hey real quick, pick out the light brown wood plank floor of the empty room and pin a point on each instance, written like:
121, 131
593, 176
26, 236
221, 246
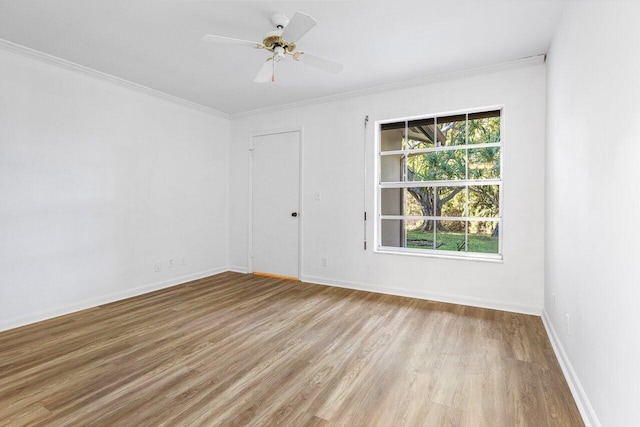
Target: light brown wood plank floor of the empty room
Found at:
238, 349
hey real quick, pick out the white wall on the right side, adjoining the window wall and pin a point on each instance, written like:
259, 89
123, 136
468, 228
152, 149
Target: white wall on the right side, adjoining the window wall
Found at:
592, 207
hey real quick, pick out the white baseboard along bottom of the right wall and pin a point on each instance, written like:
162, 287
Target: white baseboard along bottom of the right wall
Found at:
582, 401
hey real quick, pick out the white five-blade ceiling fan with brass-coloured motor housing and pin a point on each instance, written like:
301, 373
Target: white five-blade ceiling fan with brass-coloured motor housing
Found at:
282, 42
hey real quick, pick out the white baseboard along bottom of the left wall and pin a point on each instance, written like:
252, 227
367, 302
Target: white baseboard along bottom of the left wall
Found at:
105, 299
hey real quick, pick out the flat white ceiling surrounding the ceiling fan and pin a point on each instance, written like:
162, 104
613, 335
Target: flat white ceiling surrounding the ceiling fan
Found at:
158, 43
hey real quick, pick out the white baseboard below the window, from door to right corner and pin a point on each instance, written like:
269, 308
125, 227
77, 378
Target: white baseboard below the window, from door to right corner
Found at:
434, 296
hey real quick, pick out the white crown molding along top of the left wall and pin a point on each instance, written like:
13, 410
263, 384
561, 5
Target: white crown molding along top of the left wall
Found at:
72, 66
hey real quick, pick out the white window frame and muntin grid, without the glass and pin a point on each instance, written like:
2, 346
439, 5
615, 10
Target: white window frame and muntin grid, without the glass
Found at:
436, 253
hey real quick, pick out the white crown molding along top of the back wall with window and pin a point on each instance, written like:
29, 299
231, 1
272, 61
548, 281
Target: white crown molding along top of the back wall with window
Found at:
422, 81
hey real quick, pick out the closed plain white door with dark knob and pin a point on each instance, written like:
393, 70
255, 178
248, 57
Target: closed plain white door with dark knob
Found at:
275, 195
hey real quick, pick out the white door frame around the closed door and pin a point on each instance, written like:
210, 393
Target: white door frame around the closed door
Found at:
252, 136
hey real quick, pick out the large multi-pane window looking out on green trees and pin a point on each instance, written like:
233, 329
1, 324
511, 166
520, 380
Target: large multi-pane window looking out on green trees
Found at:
439, 185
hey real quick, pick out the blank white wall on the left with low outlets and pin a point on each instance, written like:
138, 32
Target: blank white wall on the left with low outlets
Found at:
98, 182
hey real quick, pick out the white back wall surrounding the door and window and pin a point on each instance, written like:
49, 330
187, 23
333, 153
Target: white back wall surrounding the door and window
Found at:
333, 165
